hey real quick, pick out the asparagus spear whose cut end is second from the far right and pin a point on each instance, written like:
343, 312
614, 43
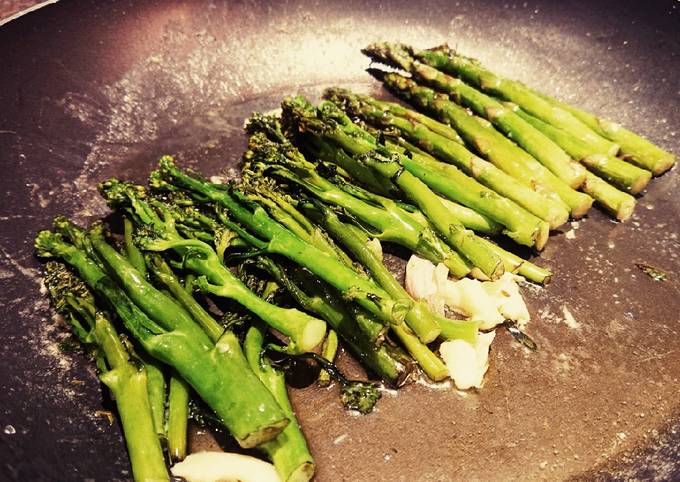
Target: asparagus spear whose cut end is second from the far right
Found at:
626, 176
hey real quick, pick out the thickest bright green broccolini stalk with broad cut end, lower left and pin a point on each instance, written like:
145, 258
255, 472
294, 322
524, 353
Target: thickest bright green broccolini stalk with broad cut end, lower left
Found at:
218, 372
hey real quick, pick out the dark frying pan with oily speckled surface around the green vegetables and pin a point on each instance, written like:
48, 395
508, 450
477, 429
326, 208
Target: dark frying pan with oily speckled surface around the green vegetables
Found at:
93, 89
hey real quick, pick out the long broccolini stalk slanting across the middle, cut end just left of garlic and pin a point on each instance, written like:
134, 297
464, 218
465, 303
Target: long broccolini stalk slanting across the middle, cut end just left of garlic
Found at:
279, 240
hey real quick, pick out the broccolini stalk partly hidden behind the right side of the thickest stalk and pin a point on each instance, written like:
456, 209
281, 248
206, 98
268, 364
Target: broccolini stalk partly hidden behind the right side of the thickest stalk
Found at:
288, 451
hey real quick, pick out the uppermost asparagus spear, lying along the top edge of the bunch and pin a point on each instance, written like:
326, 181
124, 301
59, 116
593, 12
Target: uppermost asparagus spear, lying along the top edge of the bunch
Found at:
447, 60
